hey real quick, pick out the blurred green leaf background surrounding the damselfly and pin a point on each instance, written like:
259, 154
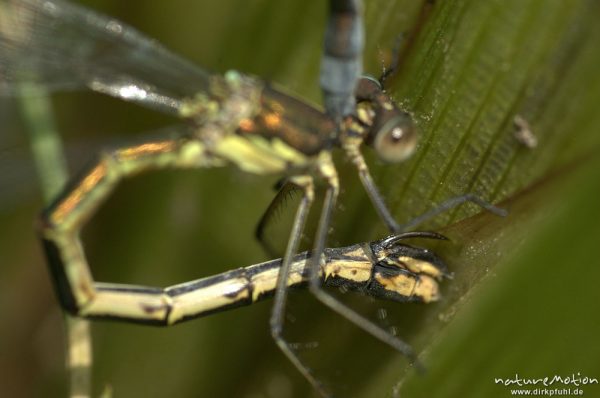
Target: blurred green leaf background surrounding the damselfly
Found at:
524, 296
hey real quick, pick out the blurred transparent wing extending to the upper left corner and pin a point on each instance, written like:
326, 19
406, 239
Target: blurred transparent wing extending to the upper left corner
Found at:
63, 46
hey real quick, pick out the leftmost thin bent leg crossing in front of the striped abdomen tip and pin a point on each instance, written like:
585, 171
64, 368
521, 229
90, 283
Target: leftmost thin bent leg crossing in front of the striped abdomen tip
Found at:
277, 316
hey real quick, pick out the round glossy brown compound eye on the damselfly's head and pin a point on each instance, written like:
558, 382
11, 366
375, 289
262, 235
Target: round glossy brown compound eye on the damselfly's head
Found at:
396, 140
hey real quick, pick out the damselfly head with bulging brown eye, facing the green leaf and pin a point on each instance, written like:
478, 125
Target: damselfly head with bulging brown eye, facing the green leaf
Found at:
390, 131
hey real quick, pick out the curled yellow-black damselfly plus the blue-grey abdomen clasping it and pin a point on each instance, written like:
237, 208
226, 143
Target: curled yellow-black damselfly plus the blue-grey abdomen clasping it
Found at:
230, 119
